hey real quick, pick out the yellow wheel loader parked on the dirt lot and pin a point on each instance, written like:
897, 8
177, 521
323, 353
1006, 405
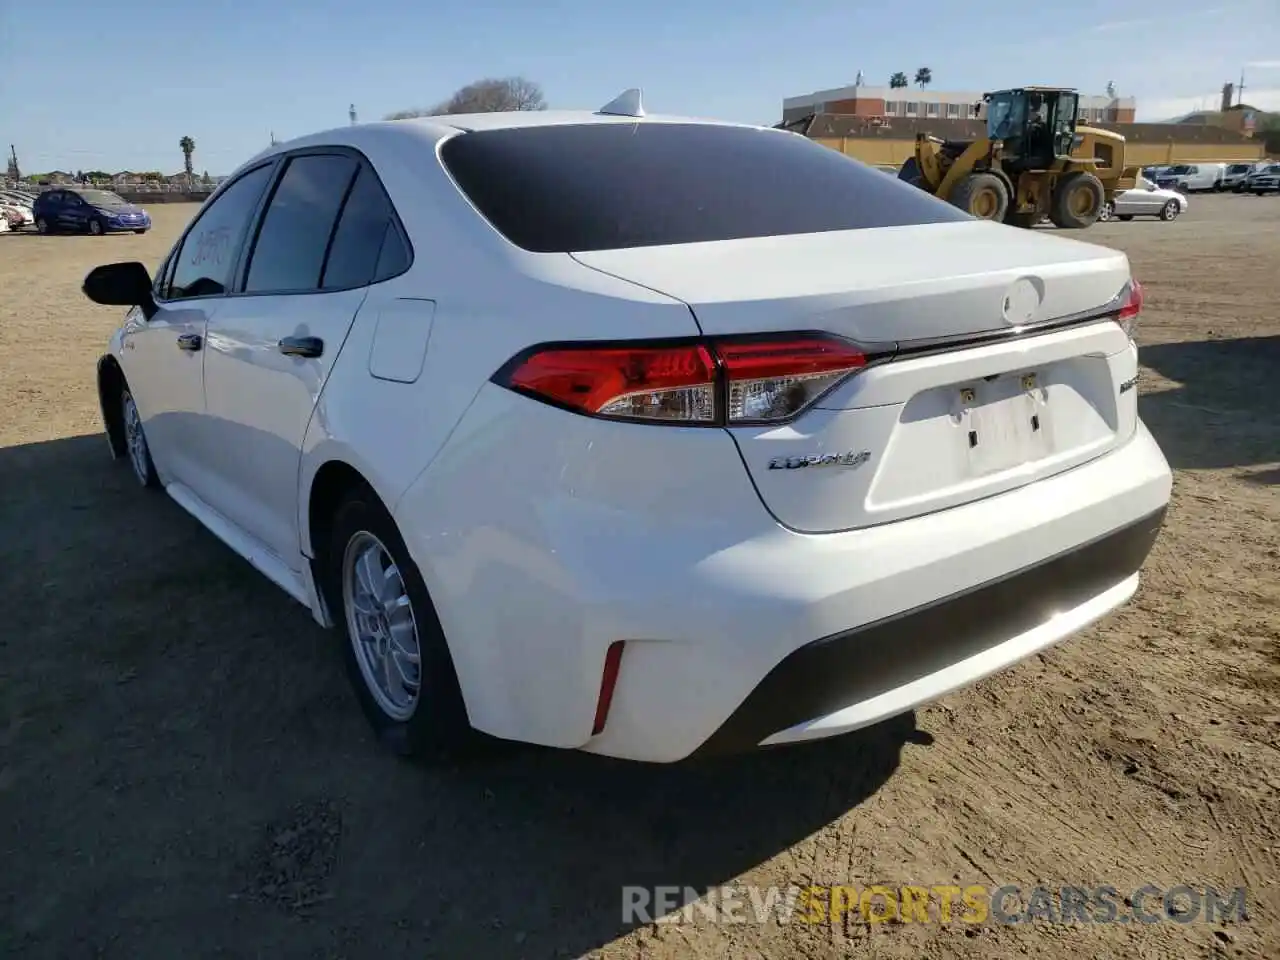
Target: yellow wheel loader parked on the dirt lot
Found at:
1034, 163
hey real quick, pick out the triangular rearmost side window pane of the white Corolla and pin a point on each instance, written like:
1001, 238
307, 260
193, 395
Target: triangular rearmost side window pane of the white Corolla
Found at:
365, 235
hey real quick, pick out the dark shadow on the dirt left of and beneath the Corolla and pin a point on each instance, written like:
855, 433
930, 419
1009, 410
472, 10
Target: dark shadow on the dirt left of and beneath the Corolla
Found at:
185, 774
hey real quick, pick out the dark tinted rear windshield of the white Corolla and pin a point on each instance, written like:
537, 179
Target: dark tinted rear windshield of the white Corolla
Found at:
609, 186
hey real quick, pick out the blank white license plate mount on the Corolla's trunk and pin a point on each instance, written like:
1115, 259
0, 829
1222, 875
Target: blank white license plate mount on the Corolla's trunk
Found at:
1004, 423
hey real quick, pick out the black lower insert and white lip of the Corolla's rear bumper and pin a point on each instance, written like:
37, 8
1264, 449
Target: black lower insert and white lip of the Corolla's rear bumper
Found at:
868, 674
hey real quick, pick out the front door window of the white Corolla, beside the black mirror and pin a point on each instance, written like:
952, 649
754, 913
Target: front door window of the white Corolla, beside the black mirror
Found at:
204, 266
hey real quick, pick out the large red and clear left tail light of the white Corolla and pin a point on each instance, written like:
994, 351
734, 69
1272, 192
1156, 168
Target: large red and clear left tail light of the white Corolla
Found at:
716, 382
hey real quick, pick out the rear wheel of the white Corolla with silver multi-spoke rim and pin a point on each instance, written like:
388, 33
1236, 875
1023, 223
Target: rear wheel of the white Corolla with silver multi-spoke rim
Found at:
395, 651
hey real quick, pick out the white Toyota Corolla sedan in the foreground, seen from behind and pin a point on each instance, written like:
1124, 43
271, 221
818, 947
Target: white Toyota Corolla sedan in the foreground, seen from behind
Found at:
642, 436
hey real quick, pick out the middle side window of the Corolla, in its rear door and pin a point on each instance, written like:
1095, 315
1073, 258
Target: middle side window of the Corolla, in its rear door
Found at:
299, 223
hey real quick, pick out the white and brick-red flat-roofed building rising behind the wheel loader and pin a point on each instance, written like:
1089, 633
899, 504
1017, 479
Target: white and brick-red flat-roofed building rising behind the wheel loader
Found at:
911, 103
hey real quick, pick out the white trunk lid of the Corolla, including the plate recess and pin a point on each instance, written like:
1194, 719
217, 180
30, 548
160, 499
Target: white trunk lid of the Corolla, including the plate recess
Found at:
932, 428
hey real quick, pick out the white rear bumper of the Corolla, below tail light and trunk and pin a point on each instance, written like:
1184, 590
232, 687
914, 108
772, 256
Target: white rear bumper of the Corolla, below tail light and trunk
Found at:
547, 538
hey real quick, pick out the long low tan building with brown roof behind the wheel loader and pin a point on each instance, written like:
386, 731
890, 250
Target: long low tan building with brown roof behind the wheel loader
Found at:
888, 141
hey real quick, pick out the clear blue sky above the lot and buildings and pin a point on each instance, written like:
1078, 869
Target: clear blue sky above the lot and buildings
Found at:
125, 88
